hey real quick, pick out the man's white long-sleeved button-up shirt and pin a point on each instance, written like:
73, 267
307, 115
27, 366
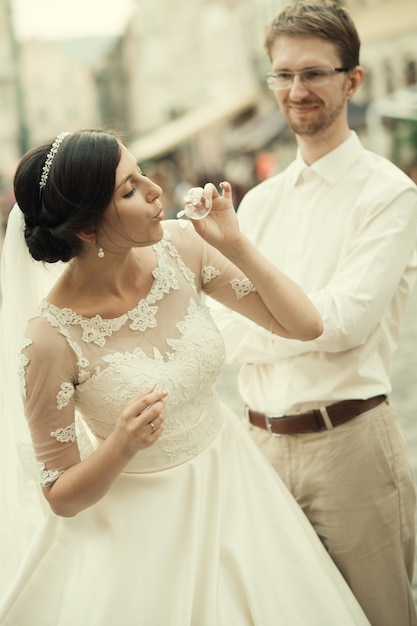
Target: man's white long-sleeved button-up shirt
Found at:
345, 229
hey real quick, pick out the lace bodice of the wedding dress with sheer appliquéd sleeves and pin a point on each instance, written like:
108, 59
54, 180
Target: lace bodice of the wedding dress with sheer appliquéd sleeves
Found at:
100, 364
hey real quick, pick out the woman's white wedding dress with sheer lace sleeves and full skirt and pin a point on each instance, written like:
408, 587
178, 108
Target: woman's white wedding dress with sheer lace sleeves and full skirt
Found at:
198, 530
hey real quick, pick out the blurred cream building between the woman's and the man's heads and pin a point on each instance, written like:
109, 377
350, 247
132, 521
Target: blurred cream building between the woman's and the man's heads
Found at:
180, 85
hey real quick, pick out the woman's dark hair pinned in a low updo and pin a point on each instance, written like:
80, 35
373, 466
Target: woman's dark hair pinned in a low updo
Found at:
78, 190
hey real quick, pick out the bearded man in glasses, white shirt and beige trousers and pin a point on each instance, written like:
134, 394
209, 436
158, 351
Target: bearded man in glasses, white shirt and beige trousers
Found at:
342, 222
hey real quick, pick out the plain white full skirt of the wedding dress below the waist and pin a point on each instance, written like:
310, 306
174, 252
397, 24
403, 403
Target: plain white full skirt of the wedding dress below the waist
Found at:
215, 541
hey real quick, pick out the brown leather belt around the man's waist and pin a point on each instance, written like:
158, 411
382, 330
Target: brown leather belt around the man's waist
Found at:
315, 420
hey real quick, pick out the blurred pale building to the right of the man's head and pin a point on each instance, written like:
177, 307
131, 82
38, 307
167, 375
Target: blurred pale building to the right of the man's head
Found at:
389, 56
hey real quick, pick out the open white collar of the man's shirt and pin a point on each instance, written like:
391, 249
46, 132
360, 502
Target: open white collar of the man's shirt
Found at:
332, 166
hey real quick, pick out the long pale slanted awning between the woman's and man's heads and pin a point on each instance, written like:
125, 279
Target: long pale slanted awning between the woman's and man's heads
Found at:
172, 134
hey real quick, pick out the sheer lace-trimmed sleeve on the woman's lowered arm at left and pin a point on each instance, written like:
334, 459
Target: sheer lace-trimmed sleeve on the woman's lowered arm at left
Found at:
48, 377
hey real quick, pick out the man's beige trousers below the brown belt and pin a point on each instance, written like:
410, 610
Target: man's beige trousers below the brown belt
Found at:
355, 485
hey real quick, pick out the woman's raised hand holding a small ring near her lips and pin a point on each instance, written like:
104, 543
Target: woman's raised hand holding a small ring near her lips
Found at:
220, 227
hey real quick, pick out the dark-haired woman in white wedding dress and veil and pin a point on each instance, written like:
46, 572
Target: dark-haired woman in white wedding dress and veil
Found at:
131, 495
